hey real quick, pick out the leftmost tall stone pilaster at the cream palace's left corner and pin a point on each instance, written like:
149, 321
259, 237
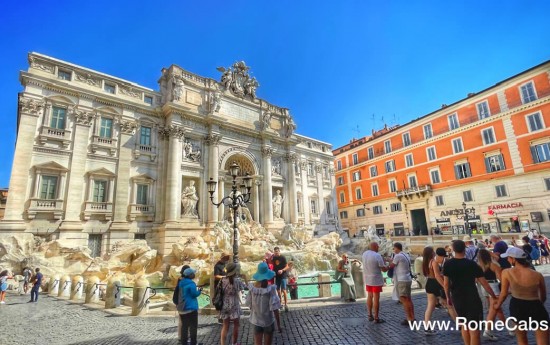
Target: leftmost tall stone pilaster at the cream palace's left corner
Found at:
29, 110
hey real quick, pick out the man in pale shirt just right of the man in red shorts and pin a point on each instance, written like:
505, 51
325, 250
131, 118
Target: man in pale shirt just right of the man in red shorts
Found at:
403, 281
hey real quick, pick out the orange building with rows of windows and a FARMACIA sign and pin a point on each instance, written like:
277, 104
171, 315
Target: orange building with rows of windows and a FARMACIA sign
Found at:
482, 162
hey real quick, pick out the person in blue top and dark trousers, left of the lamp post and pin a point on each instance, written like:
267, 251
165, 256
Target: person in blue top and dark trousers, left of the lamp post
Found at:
188, 306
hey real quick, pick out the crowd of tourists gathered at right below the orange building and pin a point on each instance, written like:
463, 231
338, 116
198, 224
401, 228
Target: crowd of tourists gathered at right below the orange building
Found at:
459, 276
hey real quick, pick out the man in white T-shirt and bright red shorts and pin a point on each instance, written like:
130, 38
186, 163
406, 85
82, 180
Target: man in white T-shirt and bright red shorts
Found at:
373, 265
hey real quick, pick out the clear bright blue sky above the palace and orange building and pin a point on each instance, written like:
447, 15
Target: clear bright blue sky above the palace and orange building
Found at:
333, 63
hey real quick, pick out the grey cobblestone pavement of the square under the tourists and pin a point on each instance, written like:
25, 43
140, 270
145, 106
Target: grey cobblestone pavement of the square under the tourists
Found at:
53, 322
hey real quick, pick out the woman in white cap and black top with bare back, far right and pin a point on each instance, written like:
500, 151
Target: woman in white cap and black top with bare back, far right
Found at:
528, 295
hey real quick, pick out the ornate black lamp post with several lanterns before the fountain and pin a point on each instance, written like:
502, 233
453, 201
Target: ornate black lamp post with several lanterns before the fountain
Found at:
235, 200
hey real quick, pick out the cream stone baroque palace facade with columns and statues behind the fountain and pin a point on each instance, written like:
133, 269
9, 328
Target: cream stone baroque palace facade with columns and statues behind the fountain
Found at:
99, 159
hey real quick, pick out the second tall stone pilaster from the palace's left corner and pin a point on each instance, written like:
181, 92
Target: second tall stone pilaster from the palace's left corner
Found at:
71, 227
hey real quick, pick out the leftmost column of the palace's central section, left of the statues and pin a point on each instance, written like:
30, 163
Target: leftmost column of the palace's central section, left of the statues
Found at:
172, 203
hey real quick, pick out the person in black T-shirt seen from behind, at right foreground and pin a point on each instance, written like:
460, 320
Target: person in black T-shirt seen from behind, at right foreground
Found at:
461, 291
